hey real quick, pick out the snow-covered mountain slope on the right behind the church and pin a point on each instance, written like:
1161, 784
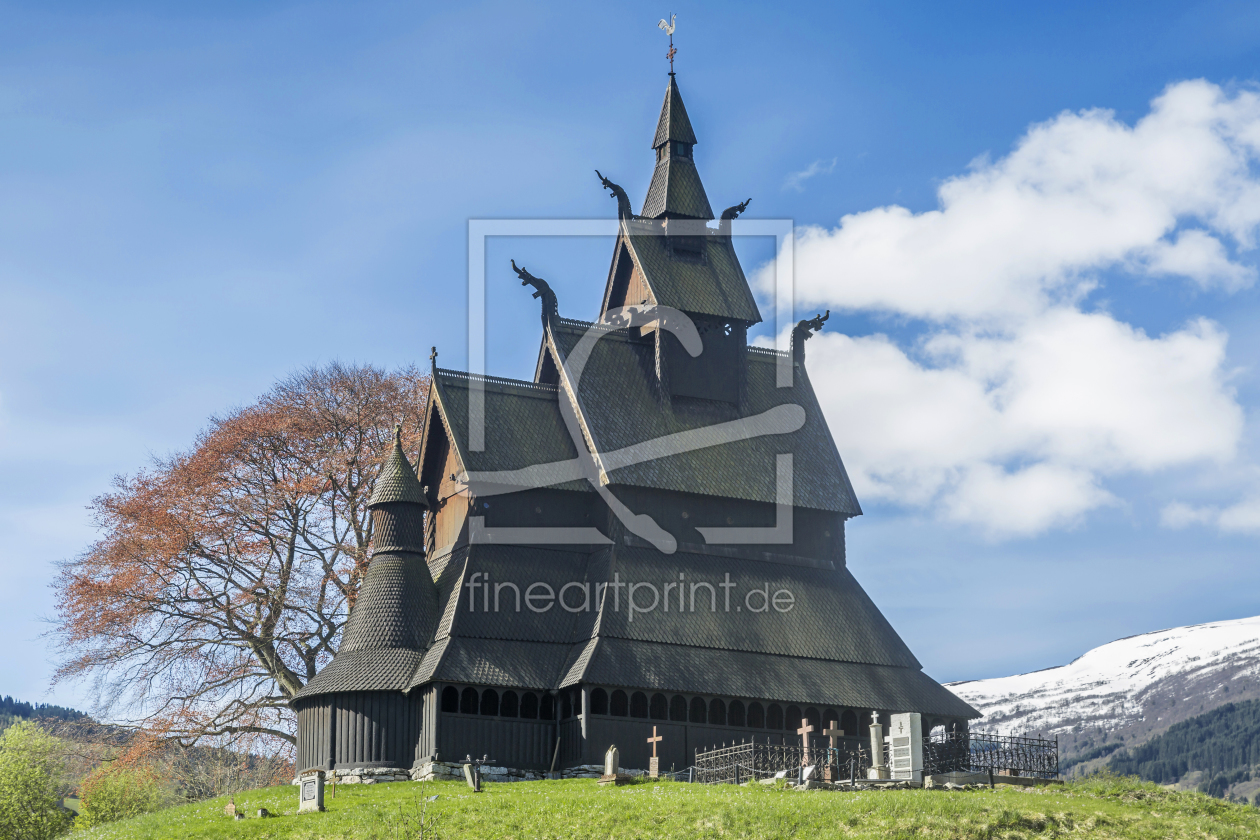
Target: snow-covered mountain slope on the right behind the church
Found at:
1127, 691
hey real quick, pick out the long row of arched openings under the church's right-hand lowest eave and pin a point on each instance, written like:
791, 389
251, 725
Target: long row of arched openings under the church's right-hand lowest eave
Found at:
718, 712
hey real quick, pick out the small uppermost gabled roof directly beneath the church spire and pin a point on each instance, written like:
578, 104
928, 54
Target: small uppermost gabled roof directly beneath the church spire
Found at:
713, 285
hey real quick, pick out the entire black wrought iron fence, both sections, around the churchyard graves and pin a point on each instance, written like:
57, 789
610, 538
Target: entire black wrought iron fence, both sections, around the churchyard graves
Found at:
947, 752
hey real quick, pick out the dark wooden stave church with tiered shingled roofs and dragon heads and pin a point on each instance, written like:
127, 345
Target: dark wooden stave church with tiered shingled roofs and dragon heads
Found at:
694, 575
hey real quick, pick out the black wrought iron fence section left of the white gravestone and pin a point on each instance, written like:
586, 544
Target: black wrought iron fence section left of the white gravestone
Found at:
754, 761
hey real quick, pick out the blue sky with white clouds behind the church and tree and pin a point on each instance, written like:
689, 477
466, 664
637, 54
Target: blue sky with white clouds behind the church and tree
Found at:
200, 200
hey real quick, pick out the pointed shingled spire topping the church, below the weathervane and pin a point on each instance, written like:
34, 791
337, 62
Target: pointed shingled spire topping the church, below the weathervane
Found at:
676, 186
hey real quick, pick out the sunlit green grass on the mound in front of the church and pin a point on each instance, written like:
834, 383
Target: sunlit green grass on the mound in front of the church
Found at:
1094, 808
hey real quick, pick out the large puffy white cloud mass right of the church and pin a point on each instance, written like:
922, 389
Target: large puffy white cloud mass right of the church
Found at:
1016, 404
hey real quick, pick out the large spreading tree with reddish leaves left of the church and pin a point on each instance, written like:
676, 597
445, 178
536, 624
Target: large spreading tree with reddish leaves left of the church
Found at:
224, 575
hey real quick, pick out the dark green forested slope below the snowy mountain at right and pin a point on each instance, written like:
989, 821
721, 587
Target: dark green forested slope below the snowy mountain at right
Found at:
1223, 745
